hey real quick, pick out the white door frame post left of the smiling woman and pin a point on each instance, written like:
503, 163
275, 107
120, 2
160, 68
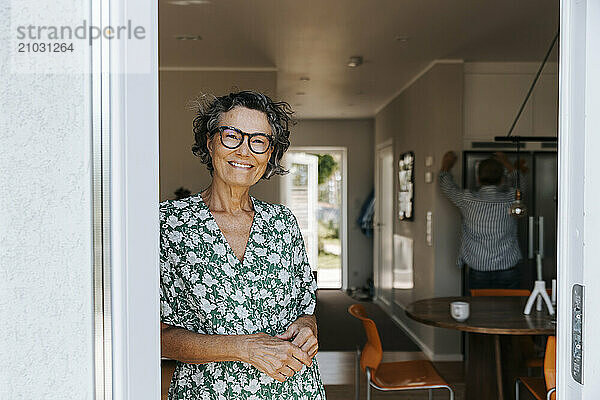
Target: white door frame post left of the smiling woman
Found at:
125, 131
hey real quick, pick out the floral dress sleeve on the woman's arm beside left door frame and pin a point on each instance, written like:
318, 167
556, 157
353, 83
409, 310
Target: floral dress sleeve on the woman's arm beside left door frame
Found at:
168, 281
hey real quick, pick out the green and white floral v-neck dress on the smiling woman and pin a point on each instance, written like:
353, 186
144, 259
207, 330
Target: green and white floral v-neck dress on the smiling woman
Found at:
206, 289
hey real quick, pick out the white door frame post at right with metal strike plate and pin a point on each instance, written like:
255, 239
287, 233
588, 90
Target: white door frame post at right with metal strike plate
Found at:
579, 191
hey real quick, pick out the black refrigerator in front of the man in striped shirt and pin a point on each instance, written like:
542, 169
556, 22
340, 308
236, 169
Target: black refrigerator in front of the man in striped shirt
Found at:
537, 230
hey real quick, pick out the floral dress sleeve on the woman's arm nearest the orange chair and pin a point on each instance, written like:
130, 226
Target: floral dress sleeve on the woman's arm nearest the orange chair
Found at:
305, 285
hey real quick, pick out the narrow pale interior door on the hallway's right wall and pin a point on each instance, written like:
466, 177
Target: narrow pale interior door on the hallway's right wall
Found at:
384, 224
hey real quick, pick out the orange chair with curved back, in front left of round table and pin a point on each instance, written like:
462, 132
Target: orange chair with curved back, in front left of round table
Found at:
403, 375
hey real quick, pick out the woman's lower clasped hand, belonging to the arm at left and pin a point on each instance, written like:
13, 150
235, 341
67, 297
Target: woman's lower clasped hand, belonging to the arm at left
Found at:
275, 357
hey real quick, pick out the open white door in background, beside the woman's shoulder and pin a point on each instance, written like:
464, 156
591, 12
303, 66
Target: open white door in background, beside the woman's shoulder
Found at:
299, 191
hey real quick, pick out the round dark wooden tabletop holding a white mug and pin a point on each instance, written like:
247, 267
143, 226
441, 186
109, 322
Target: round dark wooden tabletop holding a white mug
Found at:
491, 315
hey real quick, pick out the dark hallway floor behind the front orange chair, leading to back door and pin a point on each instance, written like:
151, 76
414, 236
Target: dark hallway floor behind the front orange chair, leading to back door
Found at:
339, 331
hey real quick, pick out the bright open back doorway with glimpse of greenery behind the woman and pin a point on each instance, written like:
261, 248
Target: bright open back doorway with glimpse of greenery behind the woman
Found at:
315, 191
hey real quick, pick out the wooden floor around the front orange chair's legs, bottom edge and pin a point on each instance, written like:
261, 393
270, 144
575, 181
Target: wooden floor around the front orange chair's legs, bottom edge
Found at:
337, 372
